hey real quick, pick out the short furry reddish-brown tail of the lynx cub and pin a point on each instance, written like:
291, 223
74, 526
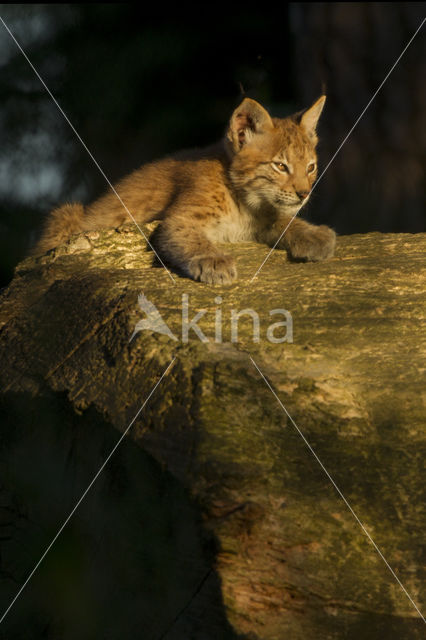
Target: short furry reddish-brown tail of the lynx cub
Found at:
59, 226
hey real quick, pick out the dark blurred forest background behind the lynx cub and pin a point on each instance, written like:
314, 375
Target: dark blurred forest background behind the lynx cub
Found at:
137, 86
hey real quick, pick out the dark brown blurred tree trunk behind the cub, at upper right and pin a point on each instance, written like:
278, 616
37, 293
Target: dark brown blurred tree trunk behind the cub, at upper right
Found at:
347, 49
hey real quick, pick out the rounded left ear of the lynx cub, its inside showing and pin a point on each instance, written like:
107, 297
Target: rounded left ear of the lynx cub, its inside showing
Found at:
247, 120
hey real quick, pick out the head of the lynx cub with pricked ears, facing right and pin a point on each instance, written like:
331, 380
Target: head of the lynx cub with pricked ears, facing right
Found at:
273, 160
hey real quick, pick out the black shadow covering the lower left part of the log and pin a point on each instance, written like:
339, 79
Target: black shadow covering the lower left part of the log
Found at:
133, 562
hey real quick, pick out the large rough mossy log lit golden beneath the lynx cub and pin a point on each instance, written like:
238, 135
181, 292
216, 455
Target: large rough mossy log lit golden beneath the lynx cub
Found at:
213, 519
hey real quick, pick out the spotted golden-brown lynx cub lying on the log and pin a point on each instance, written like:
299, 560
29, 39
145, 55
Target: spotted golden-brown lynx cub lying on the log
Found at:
246, 187
